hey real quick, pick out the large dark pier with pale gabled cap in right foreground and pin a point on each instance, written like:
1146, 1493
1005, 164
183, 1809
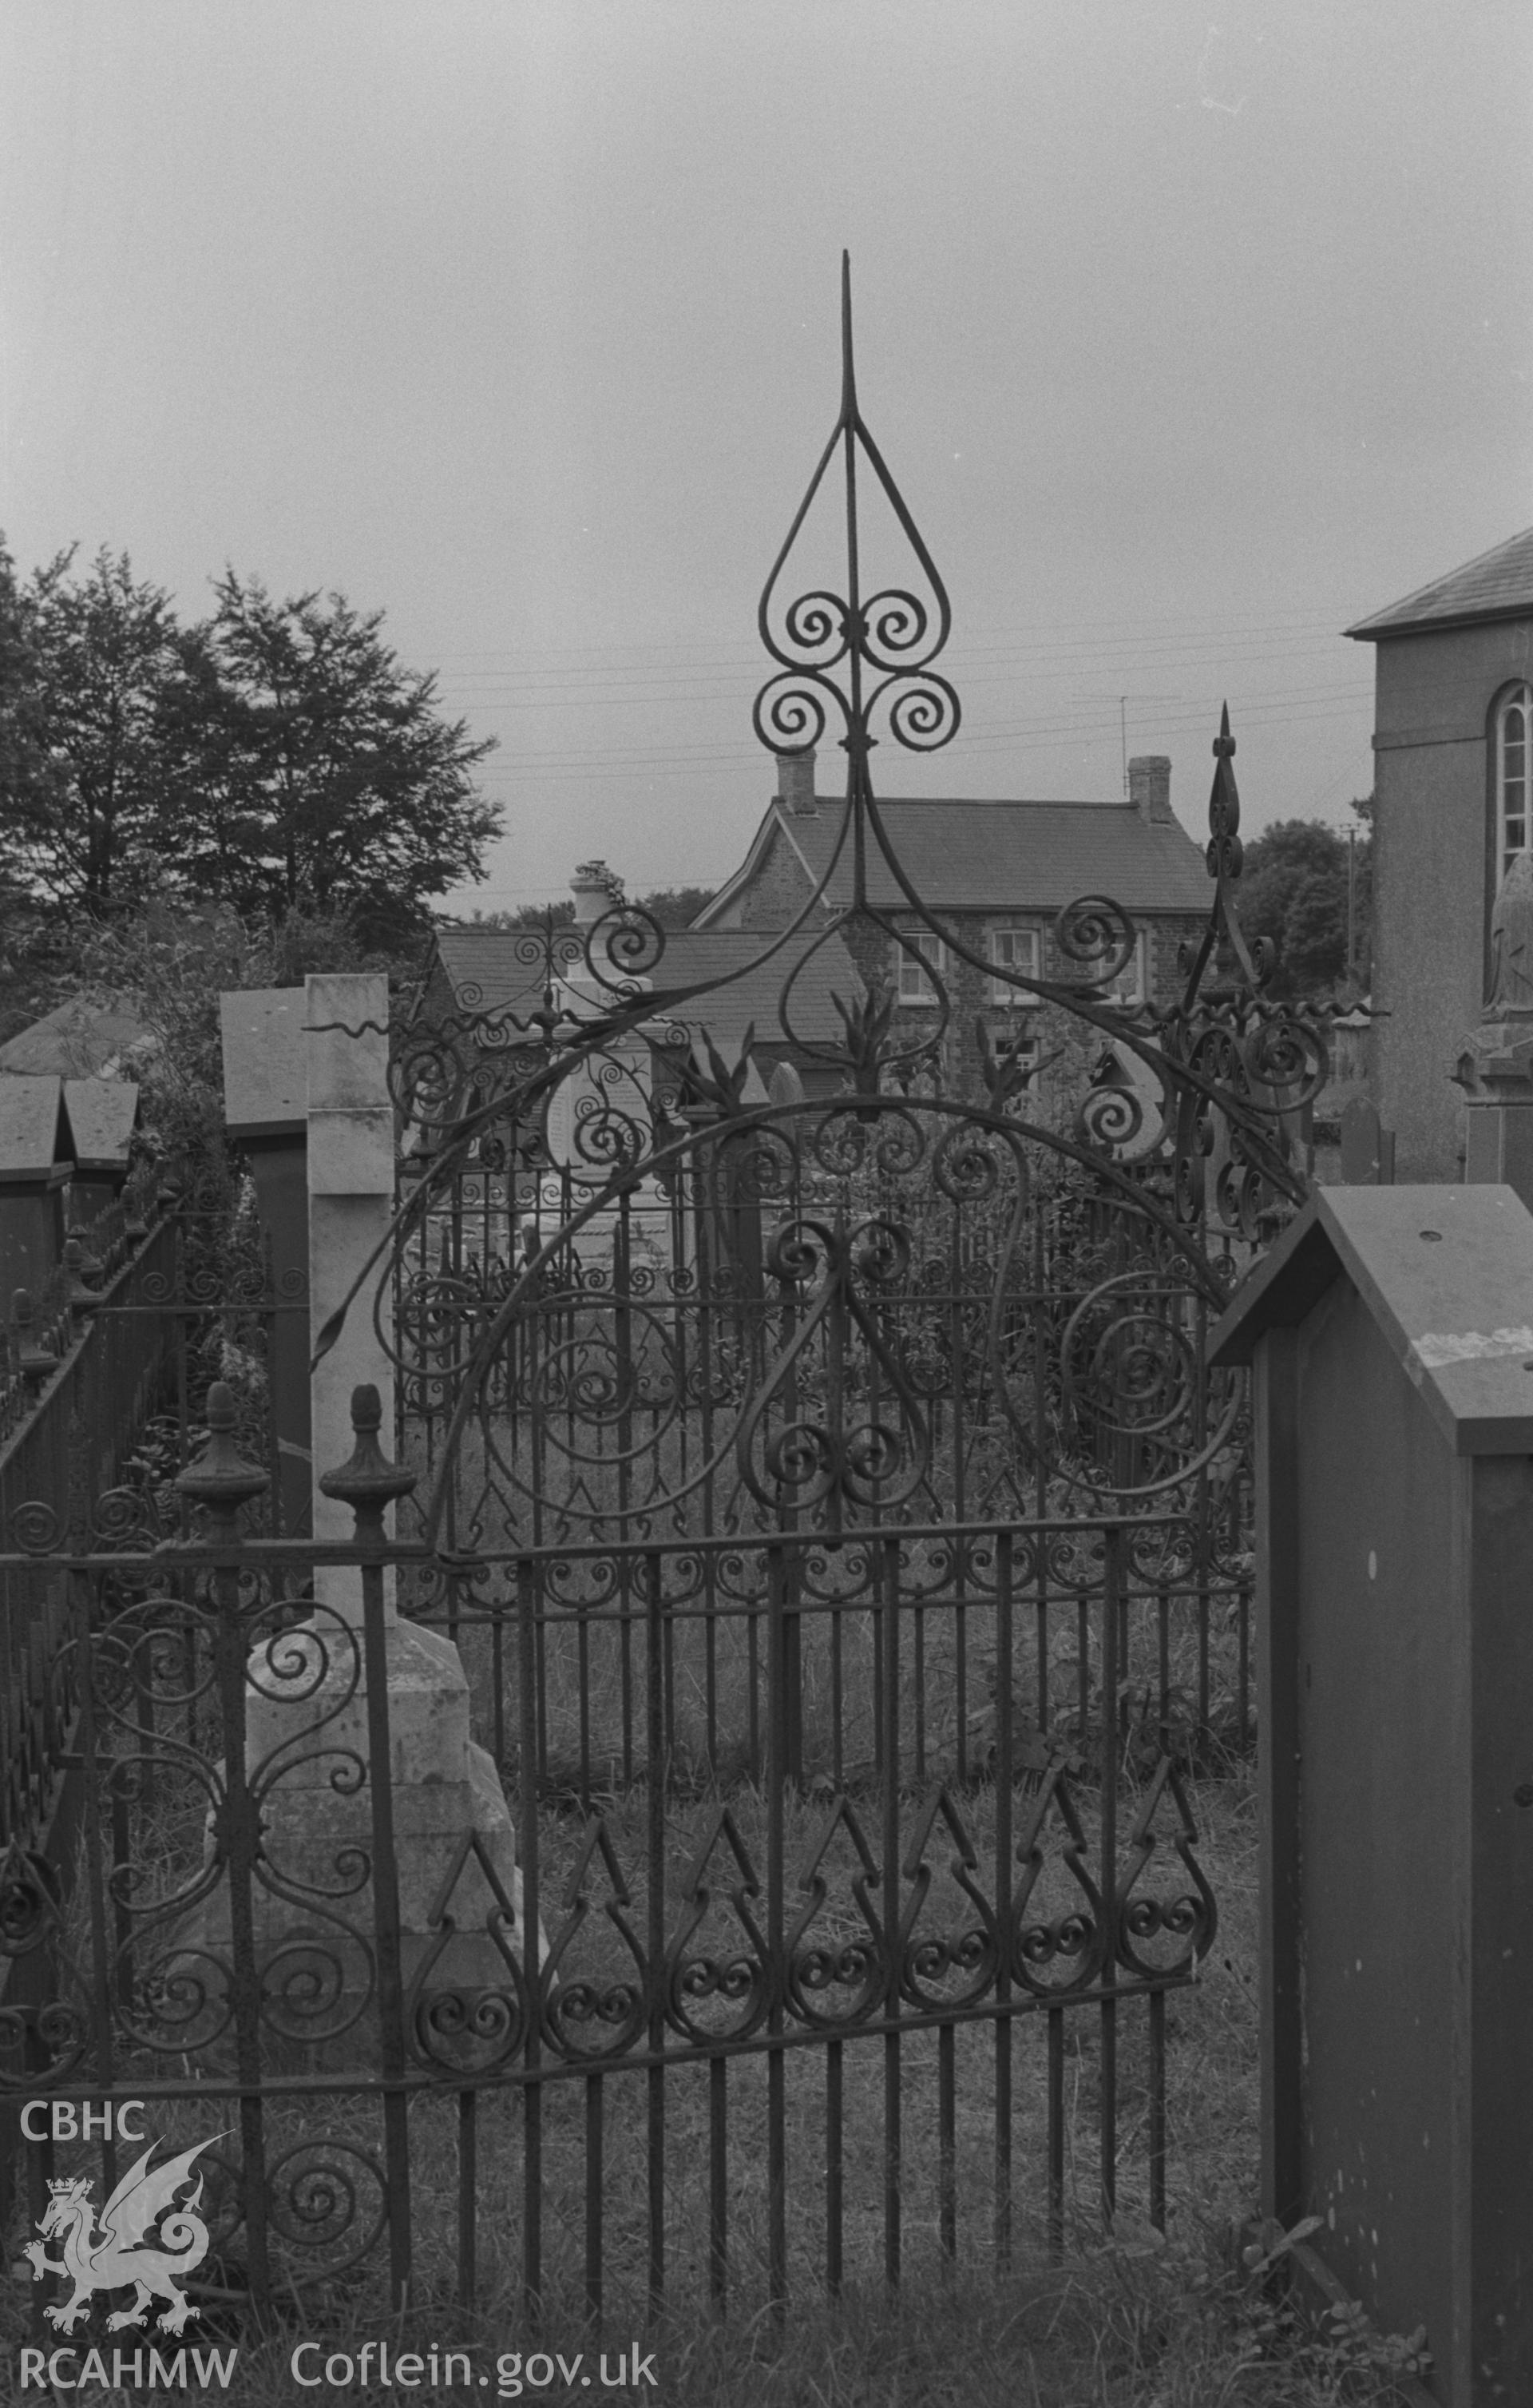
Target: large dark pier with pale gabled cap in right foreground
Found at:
1392, 1347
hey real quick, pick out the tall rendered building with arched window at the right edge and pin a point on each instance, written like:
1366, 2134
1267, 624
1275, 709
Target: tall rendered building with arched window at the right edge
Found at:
1452, 813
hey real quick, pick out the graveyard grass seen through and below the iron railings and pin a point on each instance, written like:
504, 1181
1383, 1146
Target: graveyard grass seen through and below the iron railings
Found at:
1127, 2323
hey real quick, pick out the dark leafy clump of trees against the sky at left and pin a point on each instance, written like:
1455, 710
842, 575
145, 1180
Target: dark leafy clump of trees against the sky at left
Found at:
273, 760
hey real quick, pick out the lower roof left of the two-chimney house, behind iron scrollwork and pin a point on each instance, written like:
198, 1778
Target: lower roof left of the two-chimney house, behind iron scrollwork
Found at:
485, 976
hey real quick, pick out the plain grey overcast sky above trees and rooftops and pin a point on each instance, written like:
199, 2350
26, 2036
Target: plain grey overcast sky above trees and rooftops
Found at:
1188, 334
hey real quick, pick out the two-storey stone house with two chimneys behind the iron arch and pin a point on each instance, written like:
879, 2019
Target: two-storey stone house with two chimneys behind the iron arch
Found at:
998, 875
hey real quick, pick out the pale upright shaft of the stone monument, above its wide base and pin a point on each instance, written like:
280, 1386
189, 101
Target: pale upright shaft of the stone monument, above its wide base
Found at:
350, 1208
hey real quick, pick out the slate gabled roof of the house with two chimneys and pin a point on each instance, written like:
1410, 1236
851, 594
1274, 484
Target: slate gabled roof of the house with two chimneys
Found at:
1000, 856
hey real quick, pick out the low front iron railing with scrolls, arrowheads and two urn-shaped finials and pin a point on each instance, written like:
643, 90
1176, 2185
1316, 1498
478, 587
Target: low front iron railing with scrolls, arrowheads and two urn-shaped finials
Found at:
764, 2031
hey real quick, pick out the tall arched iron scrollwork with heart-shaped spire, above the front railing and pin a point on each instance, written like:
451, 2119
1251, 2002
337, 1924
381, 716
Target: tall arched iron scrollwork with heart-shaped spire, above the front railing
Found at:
677, 1285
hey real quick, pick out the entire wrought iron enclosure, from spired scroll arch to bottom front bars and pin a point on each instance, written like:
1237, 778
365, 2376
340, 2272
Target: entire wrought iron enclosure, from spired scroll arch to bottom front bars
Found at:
846, 1545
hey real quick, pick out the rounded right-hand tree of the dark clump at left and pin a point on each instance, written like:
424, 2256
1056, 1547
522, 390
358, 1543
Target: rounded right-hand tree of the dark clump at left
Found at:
331, 781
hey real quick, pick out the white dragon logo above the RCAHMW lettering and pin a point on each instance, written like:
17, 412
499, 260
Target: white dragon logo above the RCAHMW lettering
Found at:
117, 2255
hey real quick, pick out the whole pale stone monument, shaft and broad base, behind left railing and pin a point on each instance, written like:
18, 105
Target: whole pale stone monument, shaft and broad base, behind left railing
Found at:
307, 1706
